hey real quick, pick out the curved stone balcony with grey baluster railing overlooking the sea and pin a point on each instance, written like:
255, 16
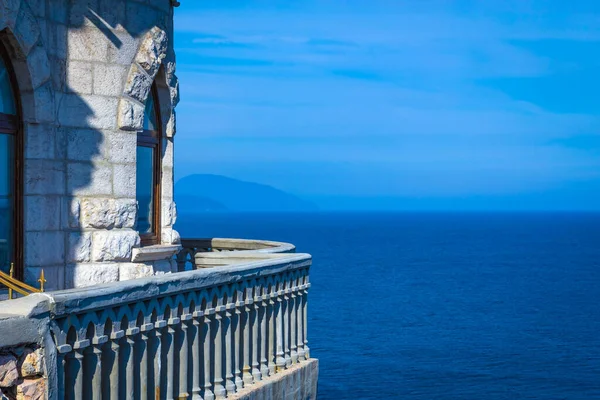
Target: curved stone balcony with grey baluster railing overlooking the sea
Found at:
231, 324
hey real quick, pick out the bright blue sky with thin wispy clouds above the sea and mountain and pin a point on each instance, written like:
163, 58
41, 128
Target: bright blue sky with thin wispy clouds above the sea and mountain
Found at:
386, 104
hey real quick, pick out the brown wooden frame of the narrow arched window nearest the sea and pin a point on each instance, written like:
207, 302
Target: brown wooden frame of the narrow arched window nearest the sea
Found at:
153, 139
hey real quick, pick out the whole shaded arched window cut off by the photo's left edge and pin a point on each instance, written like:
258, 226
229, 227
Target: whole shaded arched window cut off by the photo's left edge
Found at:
10, 171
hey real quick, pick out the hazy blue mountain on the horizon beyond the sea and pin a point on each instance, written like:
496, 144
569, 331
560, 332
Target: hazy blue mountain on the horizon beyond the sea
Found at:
204, 192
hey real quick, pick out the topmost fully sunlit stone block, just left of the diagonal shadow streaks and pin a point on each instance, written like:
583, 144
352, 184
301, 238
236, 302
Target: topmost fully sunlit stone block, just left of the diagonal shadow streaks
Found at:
87, 44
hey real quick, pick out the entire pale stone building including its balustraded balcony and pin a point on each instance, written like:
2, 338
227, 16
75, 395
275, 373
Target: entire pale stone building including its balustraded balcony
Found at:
125, 308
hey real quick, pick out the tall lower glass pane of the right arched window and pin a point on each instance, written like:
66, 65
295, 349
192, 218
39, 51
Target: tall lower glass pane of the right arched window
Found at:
145, 189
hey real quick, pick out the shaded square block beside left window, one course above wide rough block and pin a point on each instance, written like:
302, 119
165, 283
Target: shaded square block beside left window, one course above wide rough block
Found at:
42, 213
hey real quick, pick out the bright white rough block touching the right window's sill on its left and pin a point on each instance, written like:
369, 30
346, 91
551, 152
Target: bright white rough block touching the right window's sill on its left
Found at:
114, 245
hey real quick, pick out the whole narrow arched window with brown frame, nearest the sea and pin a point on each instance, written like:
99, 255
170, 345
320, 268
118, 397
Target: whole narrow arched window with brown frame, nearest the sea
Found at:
149, 172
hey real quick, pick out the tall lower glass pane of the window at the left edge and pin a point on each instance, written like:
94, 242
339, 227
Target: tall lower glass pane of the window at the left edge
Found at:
7, 174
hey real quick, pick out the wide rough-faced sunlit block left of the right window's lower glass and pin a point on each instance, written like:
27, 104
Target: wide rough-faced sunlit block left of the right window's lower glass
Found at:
108, 213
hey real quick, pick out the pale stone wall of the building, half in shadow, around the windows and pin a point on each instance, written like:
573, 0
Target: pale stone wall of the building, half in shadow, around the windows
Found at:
84, 70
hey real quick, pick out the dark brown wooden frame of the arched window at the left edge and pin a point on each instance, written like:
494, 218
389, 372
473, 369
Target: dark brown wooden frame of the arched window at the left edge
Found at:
13, 125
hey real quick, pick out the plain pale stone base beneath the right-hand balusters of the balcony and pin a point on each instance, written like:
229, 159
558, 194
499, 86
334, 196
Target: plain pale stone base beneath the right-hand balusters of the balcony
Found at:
299, 382
